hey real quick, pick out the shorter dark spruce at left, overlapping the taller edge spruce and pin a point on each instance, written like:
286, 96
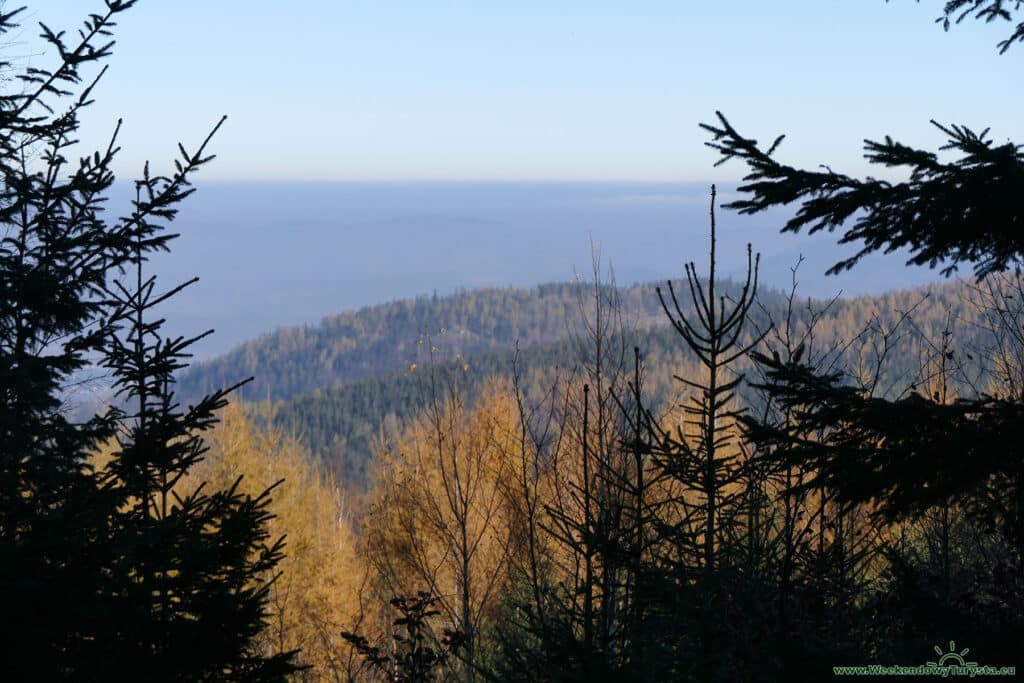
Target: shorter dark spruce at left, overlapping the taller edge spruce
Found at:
194, 568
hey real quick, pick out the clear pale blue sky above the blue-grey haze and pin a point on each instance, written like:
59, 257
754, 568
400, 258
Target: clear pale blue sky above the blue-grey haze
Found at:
430, 91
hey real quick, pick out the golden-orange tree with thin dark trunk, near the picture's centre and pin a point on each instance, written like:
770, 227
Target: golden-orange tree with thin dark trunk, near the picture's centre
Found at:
439, 521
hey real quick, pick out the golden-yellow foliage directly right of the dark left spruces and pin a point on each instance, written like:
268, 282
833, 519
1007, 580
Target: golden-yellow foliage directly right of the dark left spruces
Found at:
315, 596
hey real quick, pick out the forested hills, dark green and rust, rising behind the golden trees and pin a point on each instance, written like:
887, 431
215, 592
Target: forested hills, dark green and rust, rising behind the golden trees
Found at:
345, 398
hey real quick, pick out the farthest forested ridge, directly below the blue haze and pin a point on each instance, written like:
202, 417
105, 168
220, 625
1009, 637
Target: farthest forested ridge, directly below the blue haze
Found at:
382, 339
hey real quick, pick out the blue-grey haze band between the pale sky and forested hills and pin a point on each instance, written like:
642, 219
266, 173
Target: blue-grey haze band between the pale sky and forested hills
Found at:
273, 255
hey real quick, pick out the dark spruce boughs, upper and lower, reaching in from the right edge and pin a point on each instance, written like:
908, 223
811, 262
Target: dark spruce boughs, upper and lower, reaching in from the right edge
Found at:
911, 454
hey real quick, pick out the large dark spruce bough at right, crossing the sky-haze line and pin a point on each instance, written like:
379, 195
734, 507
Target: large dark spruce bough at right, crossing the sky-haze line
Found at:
949, 214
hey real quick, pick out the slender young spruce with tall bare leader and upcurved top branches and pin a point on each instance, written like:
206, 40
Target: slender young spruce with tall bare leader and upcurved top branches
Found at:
702, 461
